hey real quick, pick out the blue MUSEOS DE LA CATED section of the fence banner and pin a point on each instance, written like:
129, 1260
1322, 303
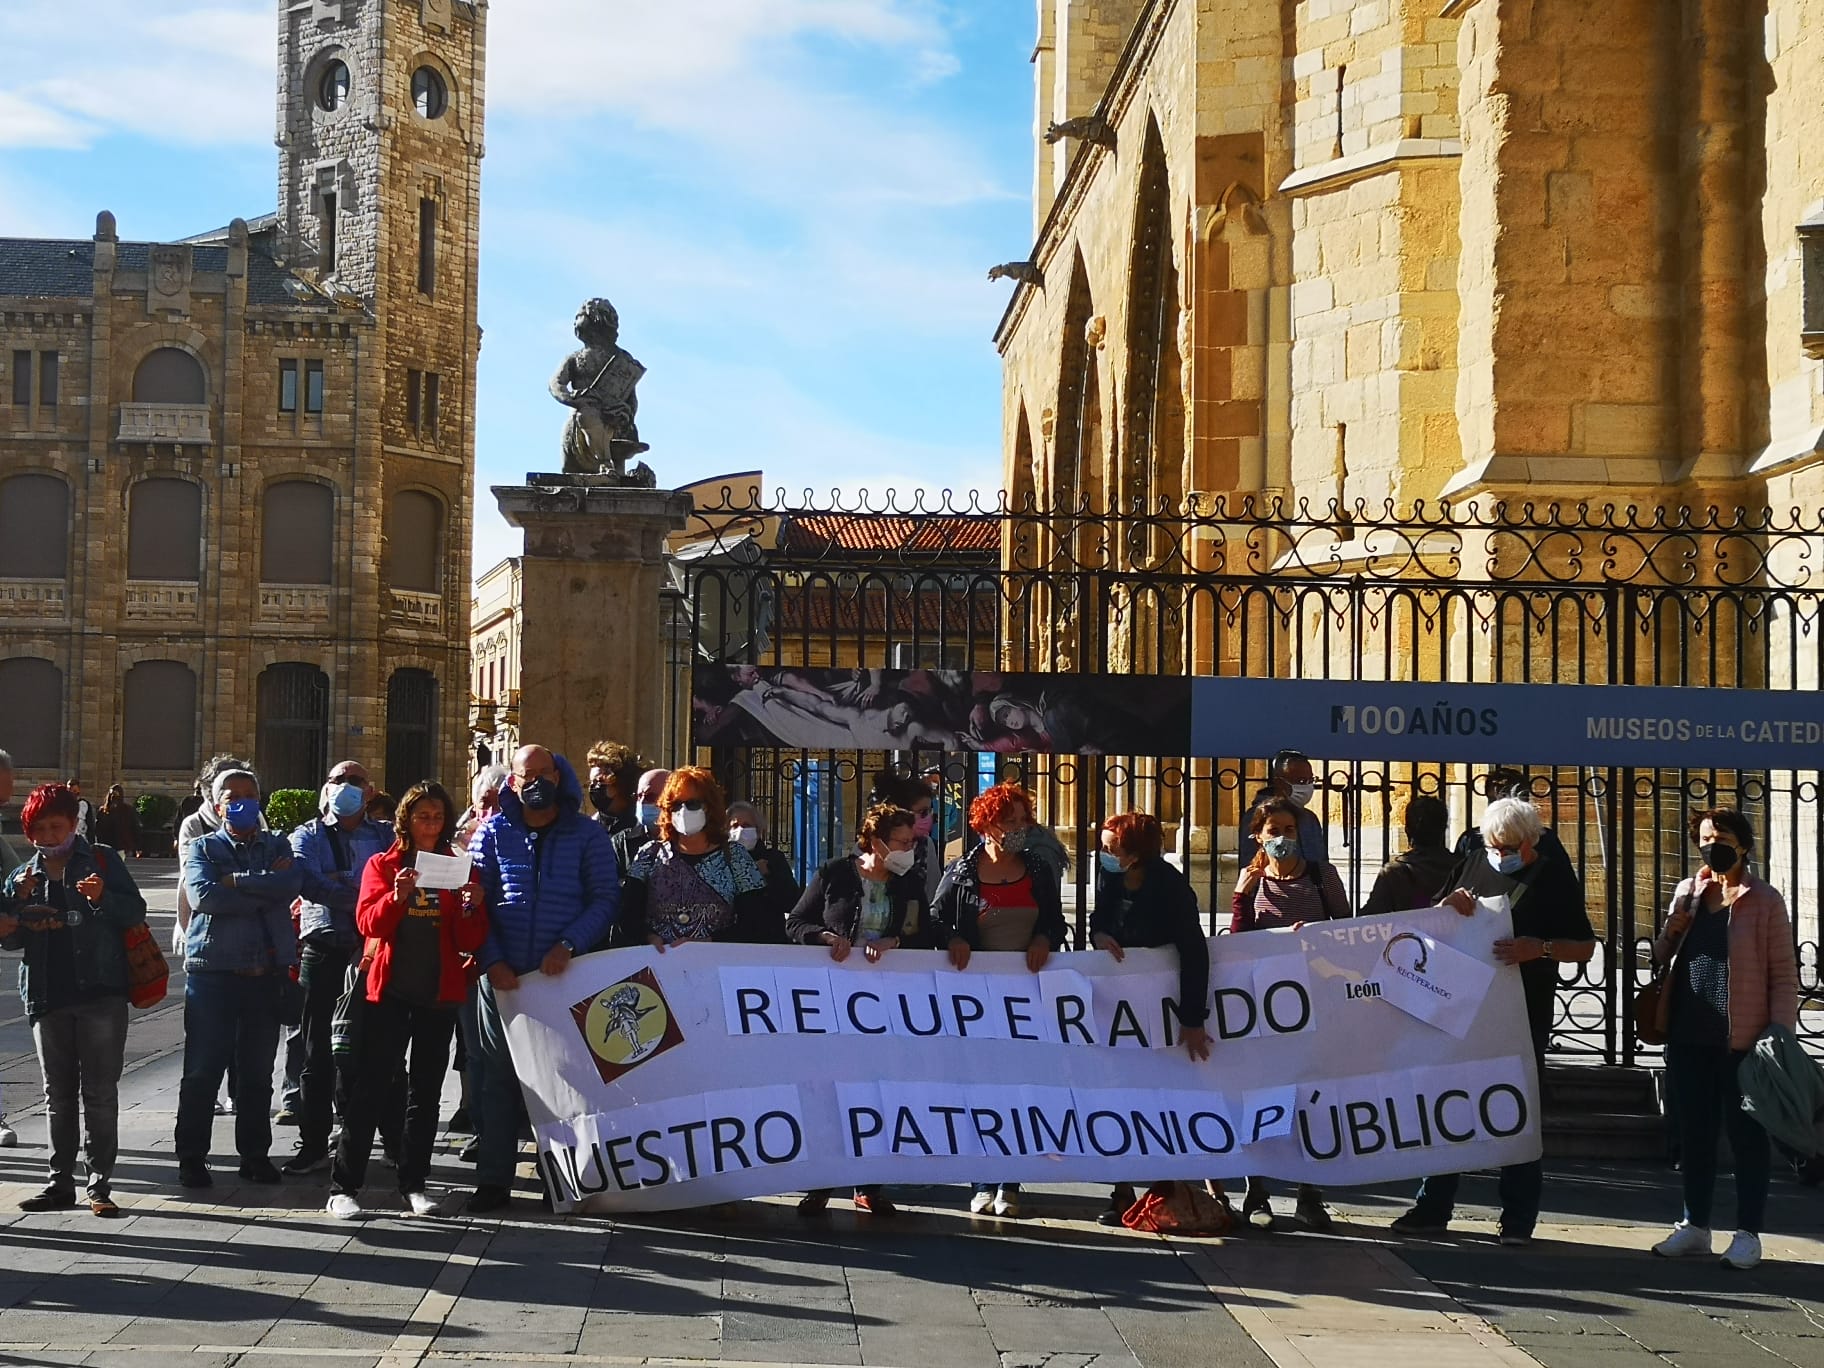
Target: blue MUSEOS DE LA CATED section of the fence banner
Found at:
1590, 725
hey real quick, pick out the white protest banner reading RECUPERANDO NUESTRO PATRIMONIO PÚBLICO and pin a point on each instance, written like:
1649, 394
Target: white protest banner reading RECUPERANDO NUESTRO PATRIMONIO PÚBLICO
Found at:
1343, 1053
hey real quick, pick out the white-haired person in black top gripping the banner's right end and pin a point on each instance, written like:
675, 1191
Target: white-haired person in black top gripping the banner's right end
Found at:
1551, 928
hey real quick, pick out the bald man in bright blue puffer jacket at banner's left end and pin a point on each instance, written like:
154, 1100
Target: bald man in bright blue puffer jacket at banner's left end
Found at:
552, 889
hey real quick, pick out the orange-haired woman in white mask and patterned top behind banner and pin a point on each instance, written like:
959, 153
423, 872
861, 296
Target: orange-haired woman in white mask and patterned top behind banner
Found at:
694, 884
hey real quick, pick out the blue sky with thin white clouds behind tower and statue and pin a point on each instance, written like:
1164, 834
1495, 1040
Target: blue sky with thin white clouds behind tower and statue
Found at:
794, 205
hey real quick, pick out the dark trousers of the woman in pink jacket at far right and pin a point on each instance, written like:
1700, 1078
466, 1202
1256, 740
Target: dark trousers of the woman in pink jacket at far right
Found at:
1708, 1103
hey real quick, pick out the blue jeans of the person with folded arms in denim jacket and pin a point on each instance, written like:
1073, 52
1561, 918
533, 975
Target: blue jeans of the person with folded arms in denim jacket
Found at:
229, 1019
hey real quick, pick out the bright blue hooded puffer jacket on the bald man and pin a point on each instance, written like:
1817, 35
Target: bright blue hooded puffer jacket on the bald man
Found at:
557, 884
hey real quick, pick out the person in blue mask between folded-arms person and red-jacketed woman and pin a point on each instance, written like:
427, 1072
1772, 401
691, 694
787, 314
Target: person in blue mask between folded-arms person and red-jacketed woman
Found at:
331, 855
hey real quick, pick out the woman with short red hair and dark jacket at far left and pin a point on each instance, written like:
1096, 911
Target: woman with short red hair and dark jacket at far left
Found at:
68, 909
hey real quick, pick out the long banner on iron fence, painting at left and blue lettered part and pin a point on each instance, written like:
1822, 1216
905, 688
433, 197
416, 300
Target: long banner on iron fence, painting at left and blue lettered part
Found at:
959, 710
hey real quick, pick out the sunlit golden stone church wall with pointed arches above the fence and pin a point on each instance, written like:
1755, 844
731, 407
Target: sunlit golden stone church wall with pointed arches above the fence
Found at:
1416, 249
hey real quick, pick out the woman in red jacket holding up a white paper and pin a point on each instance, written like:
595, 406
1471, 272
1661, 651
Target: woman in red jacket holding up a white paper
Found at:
417, 940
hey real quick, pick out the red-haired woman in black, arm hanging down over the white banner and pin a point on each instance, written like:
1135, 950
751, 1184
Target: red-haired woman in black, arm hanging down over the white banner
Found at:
1146, 904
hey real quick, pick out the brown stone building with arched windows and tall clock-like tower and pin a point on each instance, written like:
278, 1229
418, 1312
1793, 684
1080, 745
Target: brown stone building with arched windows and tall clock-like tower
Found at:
238, 472
